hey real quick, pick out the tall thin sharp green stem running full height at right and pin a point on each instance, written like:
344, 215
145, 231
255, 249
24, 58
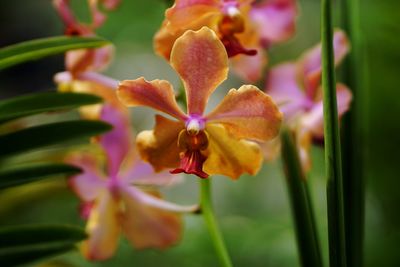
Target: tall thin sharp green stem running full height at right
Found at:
336, 227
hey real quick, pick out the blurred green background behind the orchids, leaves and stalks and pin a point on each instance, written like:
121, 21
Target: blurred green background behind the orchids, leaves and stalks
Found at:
254, 212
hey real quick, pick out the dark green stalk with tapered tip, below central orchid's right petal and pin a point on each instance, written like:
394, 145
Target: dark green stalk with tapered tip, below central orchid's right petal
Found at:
302, 209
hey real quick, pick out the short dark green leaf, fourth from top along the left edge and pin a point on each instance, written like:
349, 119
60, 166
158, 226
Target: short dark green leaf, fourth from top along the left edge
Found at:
31, 173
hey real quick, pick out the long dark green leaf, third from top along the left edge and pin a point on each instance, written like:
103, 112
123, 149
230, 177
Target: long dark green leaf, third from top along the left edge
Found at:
49, 134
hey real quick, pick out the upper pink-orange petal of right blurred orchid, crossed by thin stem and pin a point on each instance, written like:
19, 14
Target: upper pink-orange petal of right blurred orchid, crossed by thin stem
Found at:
310, 64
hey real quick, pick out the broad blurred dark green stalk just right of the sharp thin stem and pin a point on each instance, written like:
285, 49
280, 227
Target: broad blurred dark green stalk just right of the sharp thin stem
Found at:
353, 146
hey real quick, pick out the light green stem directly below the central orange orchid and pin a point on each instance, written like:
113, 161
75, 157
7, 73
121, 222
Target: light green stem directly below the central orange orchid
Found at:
209, 218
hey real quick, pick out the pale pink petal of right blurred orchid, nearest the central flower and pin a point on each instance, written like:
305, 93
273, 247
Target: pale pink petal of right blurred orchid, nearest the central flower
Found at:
283, 87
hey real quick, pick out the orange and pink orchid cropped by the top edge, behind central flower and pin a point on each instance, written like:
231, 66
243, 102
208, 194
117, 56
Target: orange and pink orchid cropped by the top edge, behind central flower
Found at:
244, 27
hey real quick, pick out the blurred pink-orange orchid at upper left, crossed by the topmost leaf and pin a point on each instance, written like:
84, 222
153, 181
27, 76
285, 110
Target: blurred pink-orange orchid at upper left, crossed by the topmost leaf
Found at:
83, 65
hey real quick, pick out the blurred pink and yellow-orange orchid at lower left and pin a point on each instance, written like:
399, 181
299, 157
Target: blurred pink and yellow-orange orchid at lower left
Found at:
113, 202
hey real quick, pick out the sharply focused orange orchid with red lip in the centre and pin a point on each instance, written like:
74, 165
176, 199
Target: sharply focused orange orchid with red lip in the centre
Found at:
218, 143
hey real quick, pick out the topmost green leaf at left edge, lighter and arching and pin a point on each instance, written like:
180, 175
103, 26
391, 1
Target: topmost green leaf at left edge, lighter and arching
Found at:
39, 48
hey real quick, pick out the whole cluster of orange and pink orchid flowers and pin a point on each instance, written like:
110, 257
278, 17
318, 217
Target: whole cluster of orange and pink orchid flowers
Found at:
199, 38
